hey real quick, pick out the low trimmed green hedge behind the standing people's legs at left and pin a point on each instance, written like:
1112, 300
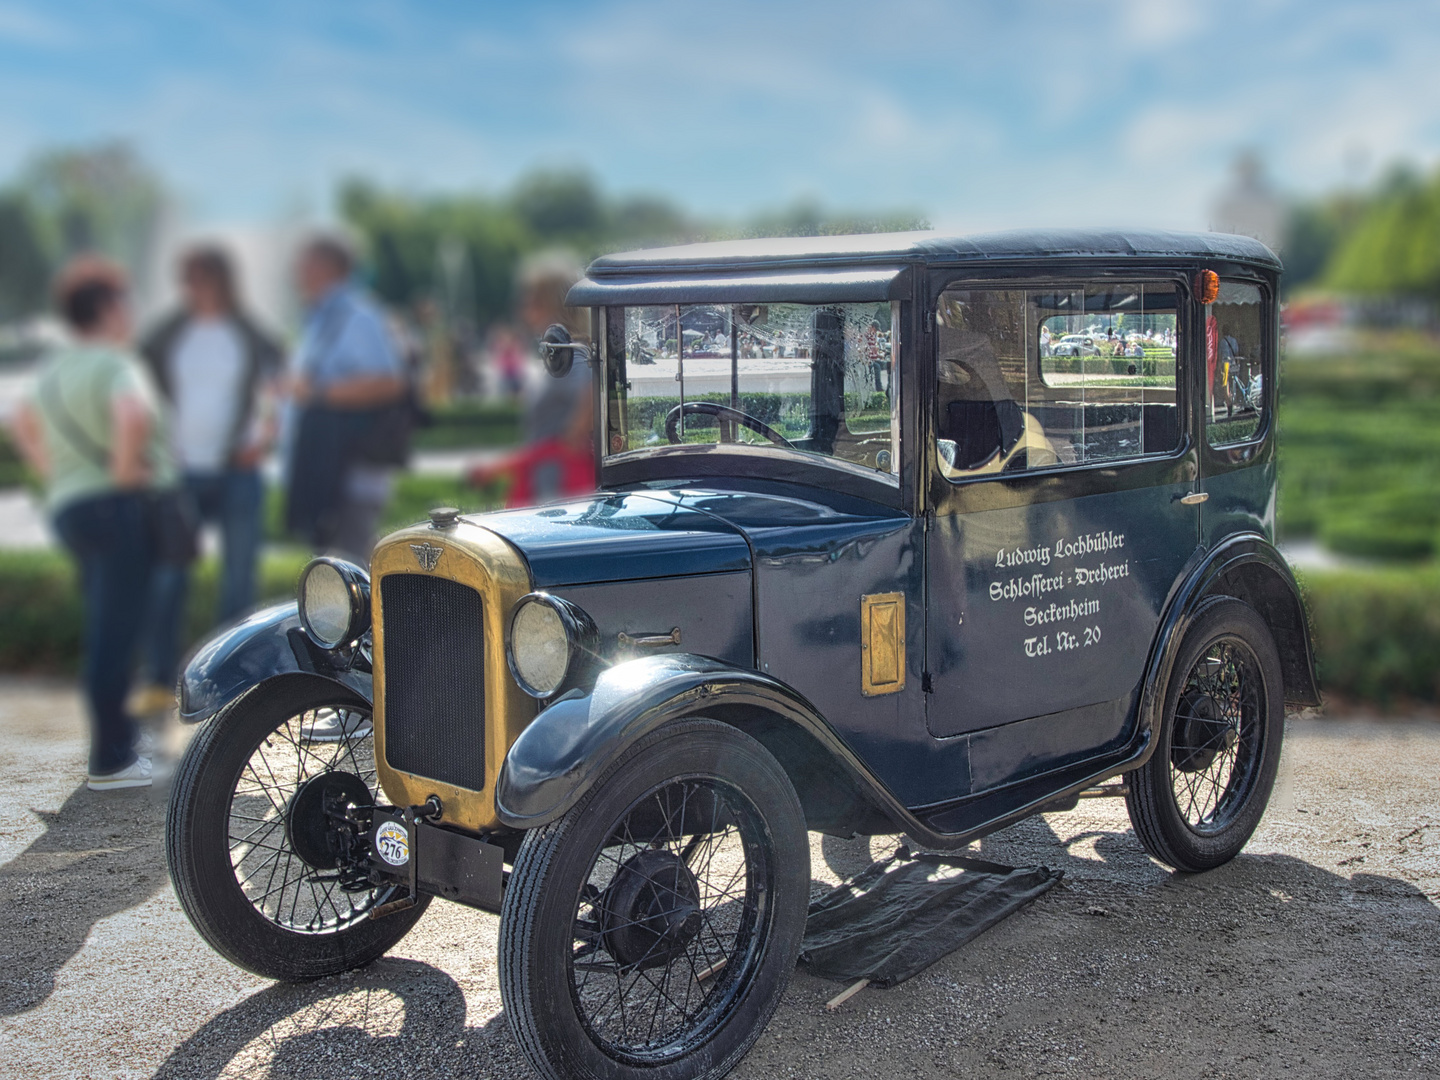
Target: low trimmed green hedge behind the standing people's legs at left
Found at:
42, 620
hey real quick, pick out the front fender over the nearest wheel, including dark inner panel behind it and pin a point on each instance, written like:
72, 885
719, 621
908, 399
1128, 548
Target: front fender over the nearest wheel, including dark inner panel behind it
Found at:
580, 737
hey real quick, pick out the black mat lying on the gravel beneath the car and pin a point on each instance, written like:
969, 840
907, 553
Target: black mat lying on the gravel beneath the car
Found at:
899, 917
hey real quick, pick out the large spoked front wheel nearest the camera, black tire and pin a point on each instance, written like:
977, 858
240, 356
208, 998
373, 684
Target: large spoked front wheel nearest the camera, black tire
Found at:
562, 1020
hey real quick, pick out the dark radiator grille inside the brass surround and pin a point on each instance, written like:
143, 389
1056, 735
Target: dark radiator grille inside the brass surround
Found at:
434, 679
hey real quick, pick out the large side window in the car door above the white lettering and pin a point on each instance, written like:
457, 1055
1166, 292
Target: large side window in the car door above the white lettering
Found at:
1042, 378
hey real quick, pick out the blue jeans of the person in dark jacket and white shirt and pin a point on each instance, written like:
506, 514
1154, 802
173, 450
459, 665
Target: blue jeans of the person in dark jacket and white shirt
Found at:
235, 500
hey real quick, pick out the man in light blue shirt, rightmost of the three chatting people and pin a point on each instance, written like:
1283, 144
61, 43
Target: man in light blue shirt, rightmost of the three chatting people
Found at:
351, 400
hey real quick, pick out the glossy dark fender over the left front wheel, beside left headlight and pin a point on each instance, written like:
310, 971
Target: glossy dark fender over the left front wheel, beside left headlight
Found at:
269, 644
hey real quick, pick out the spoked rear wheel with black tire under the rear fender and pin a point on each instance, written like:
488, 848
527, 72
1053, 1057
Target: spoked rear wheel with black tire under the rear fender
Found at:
1199, 800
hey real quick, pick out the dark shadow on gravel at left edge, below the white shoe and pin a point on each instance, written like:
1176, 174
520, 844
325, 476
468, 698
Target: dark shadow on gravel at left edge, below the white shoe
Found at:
100, 855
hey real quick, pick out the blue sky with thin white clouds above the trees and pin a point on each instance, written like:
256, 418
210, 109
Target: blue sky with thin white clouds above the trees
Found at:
976, 114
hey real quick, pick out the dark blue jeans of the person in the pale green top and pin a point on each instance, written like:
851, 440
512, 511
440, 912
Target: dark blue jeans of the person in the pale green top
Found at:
110, 541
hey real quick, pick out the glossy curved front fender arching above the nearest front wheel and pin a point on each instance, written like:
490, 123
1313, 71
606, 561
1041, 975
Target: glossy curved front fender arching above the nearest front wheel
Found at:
571, 745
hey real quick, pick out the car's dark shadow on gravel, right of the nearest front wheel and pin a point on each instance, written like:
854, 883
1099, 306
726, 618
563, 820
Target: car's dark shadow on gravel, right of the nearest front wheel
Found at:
1128, 955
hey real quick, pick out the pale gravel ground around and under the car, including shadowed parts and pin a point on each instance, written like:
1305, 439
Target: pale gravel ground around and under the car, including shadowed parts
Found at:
1313, 954
